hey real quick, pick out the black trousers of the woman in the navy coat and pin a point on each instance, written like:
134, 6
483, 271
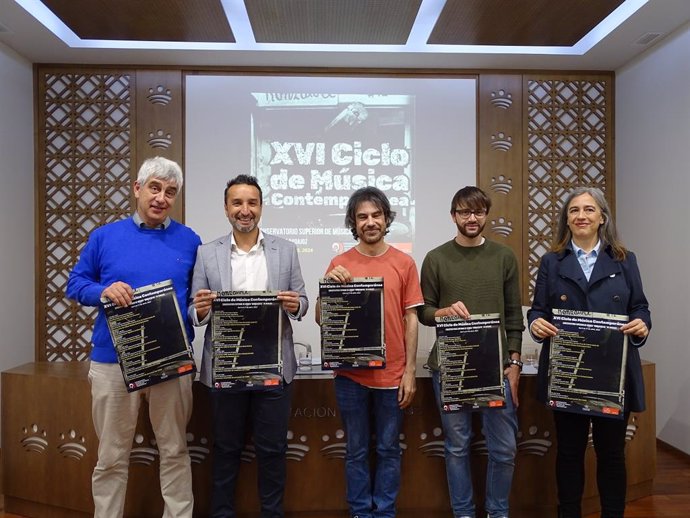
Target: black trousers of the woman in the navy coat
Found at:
608, 435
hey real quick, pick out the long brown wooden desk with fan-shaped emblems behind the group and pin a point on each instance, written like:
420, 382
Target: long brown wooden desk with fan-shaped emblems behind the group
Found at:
49, 450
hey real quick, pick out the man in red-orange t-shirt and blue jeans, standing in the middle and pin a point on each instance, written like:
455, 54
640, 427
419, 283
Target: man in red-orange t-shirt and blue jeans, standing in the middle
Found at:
387, 391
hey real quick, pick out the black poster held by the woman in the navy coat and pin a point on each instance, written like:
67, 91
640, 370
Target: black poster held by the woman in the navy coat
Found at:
587, 363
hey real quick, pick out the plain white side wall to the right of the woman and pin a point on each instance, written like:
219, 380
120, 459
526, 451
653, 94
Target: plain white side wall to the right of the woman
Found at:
652, 191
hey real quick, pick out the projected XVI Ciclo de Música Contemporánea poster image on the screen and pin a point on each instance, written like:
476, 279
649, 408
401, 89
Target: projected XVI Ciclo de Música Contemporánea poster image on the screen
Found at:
311, 151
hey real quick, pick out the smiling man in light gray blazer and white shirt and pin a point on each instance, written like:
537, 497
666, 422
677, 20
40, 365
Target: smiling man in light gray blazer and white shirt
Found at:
248, 260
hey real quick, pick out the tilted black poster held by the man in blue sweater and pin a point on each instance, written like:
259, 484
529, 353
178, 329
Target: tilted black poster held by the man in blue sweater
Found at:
149, 337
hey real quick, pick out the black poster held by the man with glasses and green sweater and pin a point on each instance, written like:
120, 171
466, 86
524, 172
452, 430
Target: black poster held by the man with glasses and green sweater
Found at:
471, 361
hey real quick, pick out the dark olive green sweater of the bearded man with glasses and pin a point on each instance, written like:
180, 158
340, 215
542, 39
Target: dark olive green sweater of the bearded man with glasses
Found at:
485, 278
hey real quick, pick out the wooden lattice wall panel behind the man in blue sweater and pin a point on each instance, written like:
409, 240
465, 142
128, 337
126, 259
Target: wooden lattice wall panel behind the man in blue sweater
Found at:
84, 157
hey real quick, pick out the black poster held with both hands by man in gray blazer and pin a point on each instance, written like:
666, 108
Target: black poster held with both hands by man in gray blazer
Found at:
247, 330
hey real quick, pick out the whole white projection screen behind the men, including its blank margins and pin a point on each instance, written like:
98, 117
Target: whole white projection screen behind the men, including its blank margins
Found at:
312, 141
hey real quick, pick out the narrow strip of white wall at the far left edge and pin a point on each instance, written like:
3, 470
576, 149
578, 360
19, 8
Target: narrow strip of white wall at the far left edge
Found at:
17, 315
